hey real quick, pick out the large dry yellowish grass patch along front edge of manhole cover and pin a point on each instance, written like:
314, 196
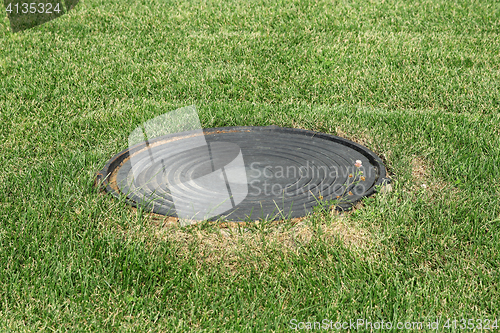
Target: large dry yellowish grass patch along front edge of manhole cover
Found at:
237, 244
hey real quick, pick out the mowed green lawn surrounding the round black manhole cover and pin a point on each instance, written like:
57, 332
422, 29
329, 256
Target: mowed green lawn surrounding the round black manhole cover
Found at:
417, 82
